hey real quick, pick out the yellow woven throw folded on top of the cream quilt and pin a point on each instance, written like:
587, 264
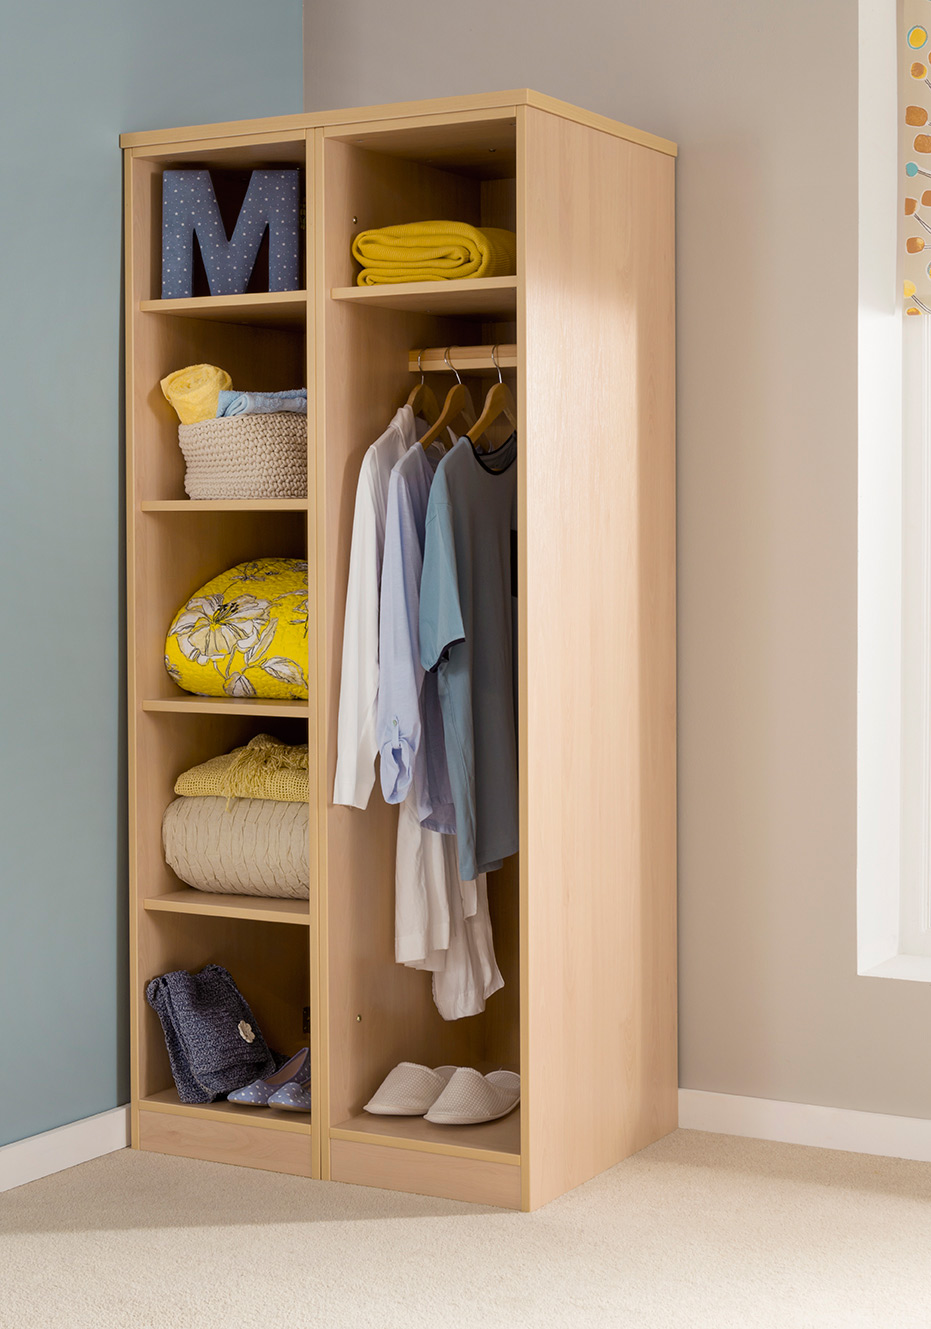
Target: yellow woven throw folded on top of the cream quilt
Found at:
265, 769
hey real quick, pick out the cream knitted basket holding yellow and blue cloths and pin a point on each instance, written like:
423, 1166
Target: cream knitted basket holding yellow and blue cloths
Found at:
261, 457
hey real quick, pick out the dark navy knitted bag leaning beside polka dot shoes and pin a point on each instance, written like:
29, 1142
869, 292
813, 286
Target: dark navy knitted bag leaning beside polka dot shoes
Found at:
213, 1040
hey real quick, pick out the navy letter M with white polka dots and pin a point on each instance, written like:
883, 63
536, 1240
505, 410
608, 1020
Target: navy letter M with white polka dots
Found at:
189, 208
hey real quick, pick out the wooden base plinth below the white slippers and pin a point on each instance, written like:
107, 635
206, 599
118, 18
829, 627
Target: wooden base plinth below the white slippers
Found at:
419, 1173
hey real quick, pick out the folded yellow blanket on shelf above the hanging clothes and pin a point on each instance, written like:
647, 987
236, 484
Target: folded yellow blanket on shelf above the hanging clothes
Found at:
434, 252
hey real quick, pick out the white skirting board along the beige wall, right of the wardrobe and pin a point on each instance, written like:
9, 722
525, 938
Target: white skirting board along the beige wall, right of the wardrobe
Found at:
807, 1124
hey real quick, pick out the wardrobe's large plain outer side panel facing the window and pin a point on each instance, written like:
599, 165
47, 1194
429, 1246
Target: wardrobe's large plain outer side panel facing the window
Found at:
598, 633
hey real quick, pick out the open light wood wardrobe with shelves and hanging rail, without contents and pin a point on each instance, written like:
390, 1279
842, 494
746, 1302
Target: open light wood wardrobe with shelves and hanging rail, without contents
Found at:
585, 915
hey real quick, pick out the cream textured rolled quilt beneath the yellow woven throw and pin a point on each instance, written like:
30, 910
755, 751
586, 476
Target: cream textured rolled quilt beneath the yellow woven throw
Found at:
249, 847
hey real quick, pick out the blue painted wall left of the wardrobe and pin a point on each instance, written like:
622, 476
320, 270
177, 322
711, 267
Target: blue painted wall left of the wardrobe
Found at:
74, 78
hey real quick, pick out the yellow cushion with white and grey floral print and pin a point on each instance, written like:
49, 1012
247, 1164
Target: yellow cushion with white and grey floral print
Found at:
245, 633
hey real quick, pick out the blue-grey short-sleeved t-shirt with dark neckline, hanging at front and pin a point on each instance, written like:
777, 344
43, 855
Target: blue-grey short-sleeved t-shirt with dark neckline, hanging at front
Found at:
467, 636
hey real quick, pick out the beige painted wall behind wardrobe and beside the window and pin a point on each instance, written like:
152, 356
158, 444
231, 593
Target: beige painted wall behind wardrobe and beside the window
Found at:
763, 100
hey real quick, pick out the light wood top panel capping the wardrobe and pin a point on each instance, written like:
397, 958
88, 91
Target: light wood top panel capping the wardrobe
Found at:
148, 144
